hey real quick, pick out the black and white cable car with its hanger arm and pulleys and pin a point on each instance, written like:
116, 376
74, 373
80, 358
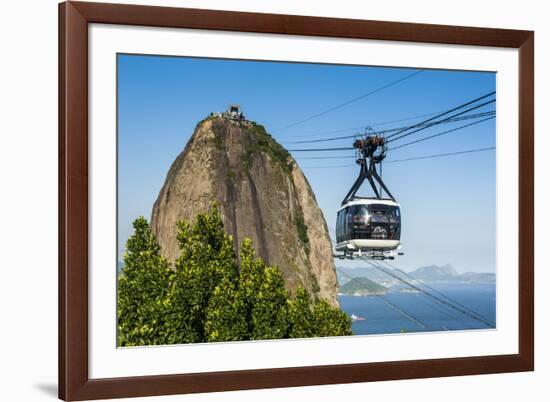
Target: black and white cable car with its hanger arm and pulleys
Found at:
369, 226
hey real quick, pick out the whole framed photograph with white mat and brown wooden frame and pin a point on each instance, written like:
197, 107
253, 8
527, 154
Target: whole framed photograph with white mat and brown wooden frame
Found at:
262, 200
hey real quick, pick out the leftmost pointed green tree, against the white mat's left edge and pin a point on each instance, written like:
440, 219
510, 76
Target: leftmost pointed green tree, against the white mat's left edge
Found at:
143, 287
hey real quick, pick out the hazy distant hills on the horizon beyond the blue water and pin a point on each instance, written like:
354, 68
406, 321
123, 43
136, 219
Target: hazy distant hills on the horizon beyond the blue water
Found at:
430, 273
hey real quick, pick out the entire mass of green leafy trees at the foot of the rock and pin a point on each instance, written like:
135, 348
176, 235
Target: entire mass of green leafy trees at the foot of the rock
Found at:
210, 295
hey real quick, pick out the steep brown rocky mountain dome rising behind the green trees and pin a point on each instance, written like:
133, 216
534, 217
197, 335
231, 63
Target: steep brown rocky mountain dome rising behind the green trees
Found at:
261, 194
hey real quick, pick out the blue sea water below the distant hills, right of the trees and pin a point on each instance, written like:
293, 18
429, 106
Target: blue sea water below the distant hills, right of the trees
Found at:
380, 318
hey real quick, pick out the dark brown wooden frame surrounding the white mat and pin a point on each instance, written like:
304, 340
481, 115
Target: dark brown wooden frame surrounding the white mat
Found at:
74, 17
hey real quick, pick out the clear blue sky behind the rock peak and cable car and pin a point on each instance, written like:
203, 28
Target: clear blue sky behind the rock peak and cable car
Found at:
448, 204
